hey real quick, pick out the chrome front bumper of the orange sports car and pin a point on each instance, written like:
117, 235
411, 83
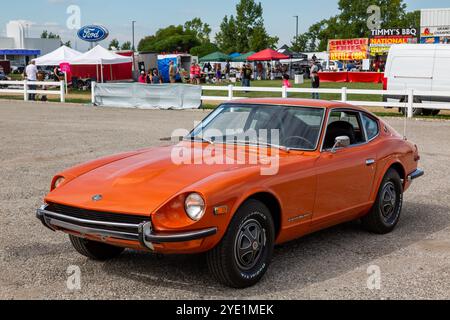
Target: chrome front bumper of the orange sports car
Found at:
143, 232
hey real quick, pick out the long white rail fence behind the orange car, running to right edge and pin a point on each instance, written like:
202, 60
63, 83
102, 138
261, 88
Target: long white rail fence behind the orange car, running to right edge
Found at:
343, 92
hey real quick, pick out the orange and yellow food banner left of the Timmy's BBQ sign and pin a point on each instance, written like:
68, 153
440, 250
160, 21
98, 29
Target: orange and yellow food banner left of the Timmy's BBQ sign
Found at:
350, 49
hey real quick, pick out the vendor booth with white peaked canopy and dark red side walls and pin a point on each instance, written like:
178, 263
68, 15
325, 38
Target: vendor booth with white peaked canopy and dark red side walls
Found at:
102, 65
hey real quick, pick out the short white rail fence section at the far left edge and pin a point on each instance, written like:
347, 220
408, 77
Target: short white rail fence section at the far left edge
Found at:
23, 88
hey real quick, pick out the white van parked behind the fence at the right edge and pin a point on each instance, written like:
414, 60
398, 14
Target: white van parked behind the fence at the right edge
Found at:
422, 67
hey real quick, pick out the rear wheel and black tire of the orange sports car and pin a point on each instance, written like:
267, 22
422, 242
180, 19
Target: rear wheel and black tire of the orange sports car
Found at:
385, 214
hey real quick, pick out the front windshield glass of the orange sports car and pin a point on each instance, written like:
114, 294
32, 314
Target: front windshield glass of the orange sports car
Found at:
280, 126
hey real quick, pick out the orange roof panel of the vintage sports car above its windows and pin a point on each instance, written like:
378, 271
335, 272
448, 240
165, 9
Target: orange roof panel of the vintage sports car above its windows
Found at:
296, 103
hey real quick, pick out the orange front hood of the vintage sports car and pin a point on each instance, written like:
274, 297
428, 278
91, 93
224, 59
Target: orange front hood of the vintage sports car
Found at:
142, 183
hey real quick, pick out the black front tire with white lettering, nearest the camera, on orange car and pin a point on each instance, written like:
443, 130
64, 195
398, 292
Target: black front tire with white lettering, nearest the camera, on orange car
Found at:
229, 262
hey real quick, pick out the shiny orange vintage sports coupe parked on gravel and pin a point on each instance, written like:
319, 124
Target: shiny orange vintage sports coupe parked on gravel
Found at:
255, 173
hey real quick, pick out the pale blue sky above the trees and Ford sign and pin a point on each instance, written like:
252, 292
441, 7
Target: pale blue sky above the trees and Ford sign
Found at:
151, 15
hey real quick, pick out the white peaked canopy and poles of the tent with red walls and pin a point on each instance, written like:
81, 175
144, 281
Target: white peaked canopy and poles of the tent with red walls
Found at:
100, 56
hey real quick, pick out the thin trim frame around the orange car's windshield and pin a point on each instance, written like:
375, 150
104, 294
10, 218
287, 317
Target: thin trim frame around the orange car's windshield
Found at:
324, 116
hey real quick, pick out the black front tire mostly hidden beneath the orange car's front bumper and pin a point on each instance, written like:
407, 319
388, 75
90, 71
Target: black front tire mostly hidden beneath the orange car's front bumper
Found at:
95, 250
